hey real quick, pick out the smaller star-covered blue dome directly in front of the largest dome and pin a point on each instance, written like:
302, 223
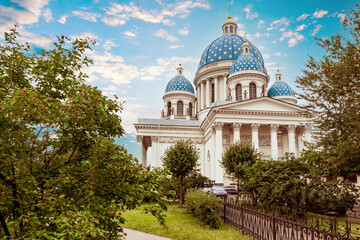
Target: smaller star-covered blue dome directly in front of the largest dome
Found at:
246, 62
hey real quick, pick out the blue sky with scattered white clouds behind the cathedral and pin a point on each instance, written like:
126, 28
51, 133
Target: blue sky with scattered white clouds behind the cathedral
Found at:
140, 43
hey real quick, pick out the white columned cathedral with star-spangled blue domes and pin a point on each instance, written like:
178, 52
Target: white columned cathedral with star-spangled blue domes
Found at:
229, 101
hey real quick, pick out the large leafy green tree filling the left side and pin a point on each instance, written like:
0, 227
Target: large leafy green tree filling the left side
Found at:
61, 174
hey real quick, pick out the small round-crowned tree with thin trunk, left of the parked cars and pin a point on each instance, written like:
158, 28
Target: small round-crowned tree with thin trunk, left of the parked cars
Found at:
181, 159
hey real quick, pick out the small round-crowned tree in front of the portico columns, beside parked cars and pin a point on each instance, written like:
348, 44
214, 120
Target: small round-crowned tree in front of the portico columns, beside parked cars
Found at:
237, 158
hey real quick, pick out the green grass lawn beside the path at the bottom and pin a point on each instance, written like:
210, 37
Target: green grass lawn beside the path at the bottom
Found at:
181, 225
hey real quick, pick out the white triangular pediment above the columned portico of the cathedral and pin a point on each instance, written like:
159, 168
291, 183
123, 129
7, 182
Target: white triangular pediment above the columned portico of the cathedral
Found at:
264, 104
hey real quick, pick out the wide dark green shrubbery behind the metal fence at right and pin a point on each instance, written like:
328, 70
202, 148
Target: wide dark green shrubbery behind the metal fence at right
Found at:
289, 184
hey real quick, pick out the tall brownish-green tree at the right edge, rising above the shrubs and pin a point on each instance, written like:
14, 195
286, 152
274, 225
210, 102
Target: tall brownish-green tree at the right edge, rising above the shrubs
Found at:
331, 88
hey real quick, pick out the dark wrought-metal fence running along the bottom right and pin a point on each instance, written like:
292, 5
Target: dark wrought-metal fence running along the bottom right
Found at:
270, 227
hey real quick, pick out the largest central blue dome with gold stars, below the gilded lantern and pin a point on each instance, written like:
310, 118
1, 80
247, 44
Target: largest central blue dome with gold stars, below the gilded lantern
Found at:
227, 47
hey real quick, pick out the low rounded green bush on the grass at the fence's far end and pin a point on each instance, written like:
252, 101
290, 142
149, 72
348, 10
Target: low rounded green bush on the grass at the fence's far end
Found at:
205, 207
